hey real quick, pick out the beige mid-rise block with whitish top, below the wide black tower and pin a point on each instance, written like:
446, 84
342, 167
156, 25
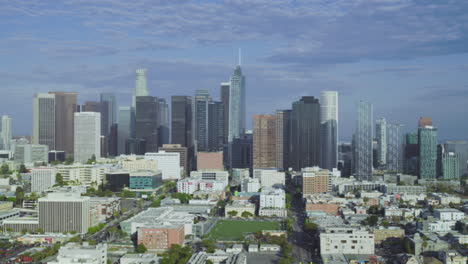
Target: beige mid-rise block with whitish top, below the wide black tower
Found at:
315, 180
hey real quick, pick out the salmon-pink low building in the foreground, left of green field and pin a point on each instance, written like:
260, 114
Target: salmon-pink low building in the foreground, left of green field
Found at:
161, 238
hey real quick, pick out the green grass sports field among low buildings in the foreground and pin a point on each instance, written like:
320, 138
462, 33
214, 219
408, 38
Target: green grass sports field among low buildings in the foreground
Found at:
238, 229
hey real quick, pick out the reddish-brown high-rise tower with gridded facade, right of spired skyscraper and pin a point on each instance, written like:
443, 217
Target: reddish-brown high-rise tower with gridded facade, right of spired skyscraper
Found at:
264, 140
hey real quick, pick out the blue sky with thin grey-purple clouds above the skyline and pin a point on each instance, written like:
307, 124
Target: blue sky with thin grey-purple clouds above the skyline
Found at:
408, 57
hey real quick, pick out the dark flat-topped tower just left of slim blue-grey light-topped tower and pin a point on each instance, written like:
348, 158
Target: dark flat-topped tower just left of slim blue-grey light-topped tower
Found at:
181, 129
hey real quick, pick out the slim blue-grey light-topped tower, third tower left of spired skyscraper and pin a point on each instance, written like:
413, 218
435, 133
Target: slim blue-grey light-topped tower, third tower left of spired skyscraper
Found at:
202, 98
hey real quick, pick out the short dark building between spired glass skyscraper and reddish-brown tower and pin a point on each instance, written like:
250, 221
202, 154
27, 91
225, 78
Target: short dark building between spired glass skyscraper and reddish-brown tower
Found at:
240, 152
